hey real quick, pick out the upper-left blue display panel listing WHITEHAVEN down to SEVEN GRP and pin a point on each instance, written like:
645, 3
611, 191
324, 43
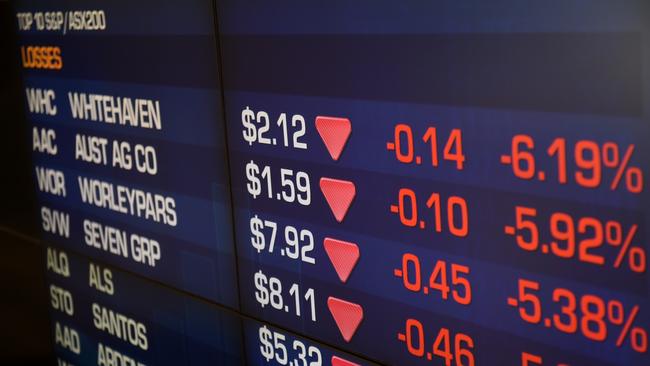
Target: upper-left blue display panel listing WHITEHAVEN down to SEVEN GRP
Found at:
128, 137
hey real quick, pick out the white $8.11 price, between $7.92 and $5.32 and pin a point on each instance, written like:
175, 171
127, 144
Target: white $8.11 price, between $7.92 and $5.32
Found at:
269, 291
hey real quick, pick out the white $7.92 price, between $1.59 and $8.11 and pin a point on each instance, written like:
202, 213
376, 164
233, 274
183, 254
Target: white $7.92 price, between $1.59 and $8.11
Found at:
298, 244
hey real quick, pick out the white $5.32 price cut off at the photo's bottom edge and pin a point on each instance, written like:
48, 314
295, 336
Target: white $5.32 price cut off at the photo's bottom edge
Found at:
273, 347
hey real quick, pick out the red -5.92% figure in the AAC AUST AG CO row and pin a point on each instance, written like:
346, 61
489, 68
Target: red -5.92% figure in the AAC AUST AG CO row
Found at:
581, 238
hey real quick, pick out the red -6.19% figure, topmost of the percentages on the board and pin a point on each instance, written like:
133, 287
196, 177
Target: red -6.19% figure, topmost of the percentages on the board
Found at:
586, 163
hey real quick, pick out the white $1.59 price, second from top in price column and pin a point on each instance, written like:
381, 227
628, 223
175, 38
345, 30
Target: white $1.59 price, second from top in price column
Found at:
295, 186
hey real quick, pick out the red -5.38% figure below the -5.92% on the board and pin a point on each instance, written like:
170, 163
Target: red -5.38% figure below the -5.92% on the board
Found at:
588, 315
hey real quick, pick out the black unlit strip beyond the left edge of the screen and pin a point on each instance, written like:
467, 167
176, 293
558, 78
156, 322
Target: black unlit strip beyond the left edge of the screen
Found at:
24, 305
